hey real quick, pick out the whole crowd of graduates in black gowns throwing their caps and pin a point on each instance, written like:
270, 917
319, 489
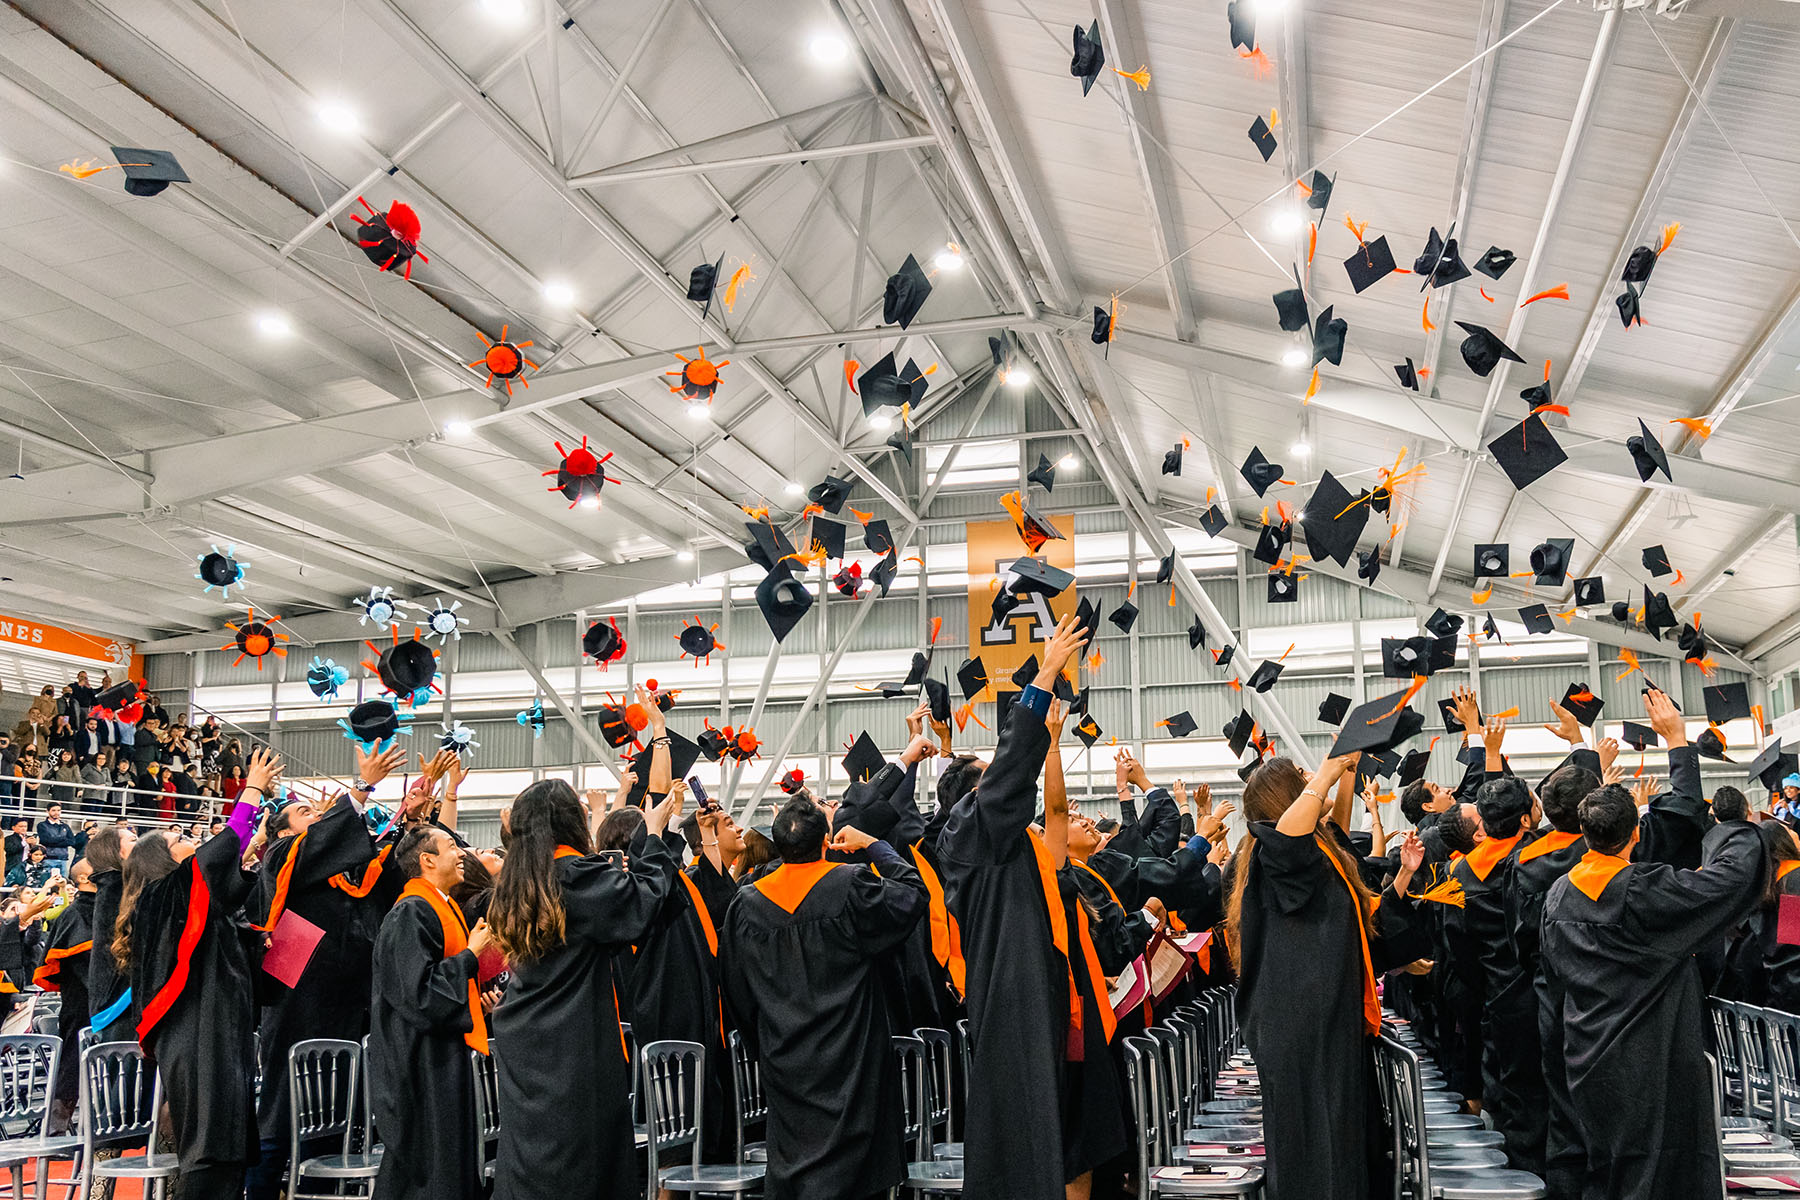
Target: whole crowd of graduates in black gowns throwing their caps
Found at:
1560, 972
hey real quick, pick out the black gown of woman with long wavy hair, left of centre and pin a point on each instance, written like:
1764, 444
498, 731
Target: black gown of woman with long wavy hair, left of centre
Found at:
561, 1021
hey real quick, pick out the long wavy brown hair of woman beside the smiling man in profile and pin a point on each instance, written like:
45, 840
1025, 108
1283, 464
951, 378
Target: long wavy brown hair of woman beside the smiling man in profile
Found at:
526, 915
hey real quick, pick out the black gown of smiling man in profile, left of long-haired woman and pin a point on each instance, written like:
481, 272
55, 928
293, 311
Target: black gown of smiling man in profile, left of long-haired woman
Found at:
422, 1089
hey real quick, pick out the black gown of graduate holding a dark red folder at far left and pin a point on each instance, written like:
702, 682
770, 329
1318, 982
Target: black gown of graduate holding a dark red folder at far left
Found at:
332, 996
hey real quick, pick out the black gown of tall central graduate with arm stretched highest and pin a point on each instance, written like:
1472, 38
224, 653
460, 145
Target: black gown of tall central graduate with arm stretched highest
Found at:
1018, 983
